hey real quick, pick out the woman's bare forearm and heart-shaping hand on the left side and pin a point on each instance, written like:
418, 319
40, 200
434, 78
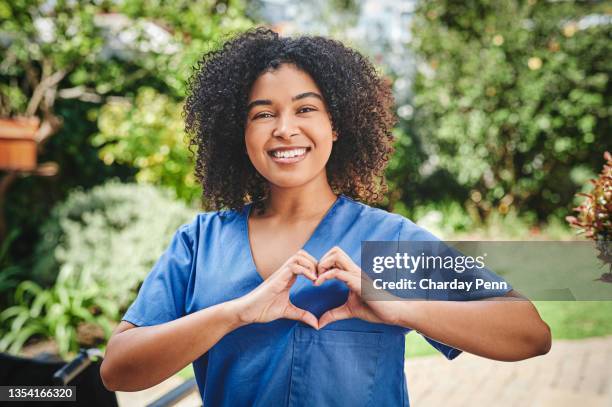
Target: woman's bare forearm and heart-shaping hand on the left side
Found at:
140, 357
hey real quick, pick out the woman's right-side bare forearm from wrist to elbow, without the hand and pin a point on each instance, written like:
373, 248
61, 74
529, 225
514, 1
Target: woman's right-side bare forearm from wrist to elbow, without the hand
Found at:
503, 328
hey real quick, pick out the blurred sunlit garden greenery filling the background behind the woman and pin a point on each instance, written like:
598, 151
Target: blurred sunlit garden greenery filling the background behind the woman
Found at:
504, 111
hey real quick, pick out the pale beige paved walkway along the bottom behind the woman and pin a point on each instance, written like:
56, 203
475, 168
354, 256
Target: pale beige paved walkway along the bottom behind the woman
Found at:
572, 373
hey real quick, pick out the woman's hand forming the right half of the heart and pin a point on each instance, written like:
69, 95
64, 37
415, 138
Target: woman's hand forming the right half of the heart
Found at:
337, 264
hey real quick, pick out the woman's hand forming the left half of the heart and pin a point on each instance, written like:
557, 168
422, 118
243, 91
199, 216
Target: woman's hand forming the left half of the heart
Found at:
270, 300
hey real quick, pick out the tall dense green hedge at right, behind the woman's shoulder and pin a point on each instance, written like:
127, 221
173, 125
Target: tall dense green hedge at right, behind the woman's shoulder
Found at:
511, 96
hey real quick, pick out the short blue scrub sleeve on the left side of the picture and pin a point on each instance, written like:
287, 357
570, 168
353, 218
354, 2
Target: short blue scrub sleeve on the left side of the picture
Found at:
162, 296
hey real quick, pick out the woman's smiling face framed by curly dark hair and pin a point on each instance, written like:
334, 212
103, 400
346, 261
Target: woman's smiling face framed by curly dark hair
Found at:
288, 133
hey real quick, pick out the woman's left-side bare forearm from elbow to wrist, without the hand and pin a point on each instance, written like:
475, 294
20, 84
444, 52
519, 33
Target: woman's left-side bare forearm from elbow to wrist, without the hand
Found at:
140, 357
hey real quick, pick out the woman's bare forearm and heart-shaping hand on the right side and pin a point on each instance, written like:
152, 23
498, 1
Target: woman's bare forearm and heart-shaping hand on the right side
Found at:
503, 328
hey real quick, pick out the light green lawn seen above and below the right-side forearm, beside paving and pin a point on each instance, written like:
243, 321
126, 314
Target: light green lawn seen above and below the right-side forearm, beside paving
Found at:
567, 320
